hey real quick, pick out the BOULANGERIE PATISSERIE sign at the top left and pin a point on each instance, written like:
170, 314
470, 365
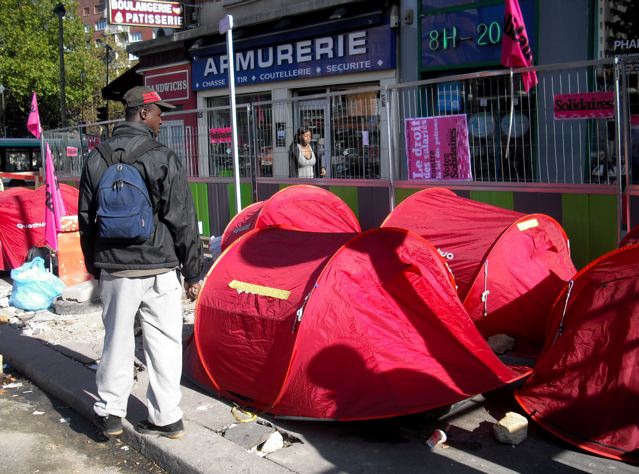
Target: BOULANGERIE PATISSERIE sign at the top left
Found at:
146, 13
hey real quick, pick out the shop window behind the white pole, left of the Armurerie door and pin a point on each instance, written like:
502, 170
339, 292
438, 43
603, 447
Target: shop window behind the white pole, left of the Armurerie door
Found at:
254, 142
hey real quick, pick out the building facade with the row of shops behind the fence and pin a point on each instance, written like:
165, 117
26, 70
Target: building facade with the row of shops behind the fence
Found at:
353, 72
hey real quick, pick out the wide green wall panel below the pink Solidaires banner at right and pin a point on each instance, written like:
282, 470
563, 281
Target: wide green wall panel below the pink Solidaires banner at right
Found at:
590, 220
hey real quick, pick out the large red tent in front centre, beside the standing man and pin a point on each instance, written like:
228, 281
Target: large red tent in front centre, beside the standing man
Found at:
338, 326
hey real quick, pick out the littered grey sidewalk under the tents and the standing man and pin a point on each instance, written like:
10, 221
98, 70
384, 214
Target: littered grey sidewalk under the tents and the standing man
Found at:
57, 353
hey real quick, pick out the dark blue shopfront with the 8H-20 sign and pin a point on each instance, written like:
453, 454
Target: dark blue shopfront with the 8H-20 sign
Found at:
464, 37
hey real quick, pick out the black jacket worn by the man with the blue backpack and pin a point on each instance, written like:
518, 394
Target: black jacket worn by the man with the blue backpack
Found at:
175, 241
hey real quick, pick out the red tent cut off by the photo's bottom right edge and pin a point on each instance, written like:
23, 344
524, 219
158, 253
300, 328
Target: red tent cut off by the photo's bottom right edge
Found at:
585, 387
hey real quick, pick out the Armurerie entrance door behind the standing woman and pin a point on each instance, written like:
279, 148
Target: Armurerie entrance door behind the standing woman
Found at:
314, 115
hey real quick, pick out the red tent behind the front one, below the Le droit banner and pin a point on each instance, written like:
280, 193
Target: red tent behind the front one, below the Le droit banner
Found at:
509, 266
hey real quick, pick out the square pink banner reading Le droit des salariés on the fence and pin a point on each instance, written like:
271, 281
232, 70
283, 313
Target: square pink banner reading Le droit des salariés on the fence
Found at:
437, 148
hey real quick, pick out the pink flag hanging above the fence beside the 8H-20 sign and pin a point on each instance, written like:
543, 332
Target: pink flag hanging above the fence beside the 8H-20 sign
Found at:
515, 49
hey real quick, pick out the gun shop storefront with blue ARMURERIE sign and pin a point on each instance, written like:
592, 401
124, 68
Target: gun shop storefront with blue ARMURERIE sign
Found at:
312, 78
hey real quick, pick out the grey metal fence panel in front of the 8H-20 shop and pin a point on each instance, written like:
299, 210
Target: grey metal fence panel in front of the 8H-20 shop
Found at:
513, 135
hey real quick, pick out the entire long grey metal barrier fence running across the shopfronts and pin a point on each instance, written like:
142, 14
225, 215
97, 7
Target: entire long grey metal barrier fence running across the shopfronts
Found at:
514, 136
